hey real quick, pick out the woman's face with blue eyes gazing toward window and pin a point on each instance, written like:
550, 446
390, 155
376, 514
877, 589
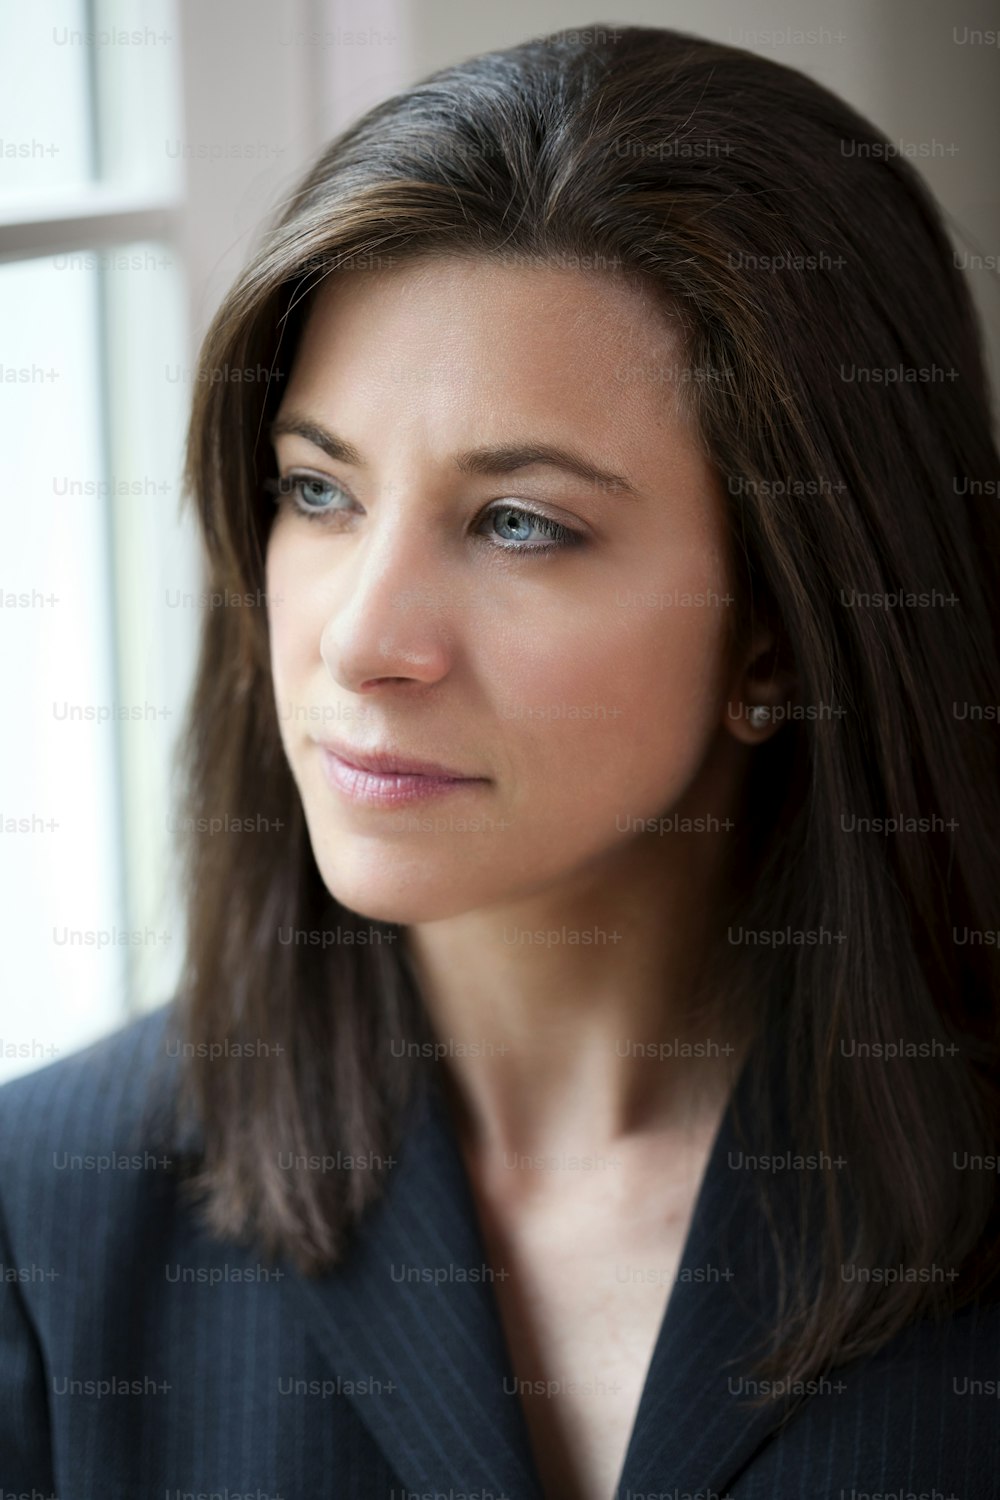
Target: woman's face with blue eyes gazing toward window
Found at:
433, 607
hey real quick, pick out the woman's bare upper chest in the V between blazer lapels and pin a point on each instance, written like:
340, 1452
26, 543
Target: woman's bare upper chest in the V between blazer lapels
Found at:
582, 1283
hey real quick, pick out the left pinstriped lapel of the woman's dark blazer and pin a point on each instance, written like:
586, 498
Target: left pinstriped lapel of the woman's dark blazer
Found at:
413, 1307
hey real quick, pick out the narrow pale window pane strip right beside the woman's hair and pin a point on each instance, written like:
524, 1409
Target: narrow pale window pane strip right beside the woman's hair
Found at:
157, 575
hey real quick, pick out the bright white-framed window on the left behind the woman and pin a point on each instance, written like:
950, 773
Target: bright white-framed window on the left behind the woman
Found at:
97, 644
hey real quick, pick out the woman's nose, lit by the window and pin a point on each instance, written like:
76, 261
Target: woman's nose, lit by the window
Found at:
392, 616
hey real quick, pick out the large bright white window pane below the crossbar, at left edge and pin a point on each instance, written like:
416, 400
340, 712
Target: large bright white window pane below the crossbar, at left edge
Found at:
64, 956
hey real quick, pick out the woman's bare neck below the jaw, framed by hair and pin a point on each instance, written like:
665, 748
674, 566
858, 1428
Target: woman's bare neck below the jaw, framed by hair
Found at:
567, 1018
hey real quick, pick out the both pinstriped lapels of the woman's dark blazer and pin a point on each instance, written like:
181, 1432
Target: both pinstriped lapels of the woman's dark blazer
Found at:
436, 1339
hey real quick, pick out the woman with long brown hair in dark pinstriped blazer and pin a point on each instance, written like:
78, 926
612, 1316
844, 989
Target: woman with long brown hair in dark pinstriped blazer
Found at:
587, 1045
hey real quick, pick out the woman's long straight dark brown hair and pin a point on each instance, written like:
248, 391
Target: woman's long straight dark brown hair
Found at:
845, 404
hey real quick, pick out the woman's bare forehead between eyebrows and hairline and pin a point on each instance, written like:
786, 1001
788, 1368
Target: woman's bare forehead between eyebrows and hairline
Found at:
481, 331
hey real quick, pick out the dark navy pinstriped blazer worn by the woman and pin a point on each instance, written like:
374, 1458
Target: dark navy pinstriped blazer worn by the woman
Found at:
139, 1358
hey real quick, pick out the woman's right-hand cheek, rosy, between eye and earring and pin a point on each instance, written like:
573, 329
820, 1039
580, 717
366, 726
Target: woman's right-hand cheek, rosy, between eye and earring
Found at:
615, 706
